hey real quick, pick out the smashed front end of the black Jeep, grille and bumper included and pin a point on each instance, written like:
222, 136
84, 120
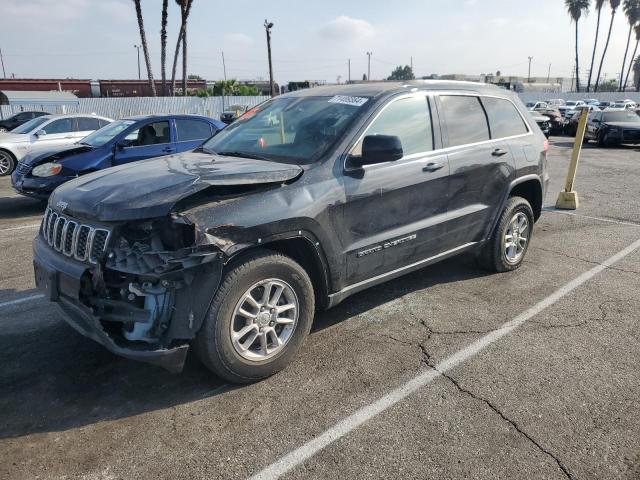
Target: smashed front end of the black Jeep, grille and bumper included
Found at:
141, 289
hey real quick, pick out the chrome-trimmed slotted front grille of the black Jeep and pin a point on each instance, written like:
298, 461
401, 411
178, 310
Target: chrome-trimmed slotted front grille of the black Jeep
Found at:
65, 235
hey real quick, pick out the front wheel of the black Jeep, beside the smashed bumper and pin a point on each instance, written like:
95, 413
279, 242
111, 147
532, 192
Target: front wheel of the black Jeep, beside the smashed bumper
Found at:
259, 318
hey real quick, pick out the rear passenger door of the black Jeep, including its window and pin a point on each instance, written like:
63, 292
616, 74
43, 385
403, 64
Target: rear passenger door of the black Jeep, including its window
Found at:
481, 167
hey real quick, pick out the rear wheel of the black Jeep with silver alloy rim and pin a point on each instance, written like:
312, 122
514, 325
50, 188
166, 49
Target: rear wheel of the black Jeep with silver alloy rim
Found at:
507, 247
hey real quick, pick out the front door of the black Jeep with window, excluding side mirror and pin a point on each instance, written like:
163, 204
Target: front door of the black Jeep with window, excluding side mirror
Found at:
394, 213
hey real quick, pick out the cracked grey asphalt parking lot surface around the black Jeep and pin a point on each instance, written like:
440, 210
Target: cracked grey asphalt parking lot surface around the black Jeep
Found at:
450, 372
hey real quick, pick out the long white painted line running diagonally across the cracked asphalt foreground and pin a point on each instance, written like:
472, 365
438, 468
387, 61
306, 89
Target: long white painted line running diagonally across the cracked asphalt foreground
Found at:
361, 416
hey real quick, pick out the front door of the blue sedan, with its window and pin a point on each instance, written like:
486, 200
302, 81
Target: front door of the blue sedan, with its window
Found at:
150, 140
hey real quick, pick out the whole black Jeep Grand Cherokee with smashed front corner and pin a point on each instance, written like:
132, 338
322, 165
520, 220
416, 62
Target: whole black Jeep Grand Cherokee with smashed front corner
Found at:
307, 199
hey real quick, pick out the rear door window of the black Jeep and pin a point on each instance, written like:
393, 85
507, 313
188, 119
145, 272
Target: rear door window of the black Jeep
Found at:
466, 120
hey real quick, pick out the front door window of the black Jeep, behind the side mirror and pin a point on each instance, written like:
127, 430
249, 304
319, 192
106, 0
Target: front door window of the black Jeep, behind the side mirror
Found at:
408, 119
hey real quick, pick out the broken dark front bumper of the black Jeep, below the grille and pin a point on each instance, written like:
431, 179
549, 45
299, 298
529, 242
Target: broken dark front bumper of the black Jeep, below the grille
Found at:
61, 279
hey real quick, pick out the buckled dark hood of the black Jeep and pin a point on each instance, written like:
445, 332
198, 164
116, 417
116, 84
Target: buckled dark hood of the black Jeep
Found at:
150, 188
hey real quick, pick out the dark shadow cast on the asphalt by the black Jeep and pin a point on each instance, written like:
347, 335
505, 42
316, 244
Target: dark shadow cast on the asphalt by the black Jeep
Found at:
53, 379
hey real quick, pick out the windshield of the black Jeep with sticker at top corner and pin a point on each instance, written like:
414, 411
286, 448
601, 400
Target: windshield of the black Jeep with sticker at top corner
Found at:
288, 129
